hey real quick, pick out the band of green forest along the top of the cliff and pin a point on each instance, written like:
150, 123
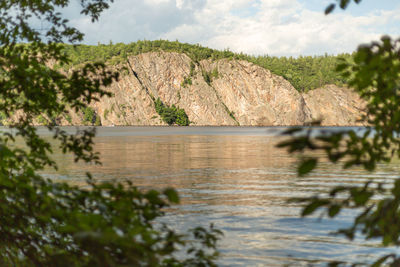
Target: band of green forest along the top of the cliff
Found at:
304, 73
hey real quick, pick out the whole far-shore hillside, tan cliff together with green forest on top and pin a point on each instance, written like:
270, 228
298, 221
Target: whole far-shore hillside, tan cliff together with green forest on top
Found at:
172, 83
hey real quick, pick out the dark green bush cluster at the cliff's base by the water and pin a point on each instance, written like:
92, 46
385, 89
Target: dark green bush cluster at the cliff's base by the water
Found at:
171, 114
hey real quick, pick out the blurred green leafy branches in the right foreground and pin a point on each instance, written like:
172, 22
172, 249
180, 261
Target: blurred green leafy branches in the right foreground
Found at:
375, 75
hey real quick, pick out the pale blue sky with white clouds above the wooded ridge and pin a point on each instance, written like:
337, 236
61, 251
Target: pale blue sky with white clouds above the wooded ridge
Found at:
257, 27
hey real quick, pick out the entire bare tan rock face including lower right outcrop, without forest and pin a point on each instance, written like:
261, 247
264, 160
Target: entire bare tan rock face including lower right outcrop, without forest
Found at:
222, 92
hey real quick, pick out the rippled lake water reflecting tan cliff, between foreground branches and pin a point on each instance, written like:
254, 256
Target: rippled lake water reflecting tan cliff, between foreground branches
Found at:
237, 179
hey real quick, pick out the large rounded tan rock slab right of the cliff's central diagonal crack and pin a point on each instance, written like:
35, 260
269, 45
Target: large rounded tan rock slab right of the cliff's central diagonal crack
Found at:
256, 96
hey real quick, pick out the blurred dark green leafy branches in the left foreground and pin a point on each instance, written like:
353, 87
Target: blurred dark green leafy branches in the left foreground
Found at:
46, 223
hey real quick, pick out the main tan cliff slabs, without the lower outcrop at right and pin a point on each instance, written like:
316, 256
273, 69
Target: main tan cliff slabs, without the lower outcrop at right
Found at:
242, 94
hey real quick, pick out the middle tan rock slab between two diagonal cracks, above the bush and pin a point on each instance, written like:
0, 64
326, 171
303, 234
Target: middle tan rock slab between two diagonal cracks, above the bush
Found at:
162, 75
